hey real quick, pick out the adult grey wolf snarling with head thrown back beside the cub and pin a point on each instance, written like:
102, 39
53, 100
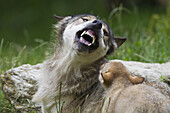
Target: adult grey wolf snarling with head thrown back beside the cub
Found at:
83, 42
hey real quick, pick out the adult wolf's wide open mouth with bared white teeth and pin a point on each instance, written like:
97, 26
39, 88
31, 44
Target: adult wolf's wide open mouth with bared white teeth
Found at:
86, 37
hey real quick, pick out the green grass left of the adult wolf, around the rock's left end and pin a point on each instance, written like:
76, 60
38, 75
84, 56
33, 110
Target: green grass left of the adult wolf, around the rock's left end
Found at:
13, 55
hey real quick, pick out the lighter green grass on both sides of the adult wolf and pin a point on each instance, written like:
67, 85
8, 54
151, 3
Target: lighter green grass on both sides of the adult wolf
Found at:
148, 41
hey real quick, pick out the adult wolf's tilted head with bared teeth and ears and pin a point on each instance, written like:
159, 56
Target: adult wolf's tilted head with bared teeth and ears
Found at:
86, 36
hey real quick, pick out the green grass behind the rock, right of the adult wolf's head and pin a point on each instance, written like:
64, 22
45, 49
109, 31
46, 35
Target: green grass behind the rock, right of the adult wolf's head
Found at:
148, 37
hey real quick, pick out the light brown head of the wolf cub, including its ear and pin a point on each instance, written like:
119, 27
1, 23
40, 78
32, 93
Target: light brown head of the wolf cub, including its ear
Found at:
112, 70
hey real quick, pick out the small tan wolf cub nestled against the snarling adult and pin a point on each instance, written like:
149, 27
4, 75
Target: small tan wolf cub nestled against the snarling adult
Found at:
125, 94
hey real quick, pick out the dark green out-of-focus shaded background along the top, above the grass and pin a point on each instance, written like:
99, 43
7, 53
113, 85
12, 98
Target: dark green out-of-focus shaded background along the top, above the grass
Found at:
22, 22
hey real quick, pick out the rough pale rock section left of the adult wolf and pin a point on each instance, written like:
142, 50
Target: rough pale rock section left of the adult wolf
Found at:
19, 84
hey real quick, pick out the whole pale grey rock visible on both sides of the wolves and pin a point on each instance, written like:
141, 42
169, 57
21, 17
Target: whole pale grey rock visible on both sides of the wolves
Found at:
19, 84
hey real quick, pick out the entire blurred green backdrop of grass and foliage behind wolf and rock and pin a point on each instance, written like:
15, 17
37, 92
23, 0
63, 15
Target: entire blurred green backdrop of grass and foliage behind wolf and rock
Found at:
26, 28
